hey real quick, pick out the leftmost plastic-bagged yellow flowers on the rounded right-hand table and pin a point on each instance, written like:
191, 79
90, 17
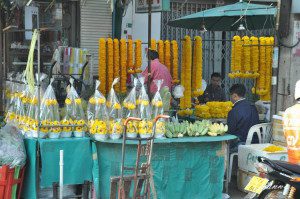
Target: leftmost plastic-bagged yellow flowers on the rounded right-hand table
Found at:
97, 115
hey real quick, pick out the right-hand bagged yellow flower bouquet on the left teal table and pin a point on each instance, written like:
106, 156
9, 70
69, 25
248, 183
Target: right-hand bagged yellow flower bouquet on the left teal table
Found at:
49, 114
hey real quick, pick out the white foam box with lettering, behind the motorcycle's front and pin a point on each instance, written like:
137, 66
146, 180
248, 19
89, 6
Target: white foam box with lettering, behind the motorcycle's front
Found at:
247, 156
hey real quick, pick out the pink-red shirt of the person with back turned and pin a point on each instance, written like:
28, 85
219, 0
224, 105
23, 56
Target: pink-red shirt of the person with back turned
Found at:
158, 72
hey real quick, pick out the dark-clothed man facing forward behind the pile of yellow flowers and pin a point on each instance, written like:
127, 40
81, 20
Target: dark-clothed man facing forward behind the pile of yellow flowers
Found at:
214, 91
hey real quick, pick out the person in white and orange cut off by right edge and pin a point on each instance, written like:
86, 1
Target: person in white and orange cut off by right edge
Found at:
291, 127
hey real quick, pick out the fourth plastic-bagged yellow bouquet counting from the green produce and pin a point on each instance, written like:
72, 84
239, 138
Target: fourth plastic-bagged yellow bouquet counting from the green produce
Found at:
114, 113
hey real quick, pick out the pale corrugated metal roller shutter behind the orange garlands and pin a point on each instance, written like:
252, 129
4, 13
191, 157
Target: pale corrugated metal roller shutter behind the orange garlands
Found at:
95, 22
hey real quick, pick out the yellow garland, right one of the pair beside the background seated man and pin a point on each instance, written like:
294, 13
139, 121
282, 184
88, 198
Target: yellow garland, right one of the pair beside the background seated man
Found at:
197, 74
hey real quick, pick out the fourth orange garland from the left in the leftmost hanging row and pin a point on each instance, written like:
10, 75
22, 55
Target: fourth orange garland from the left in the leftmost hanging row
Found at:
123, 62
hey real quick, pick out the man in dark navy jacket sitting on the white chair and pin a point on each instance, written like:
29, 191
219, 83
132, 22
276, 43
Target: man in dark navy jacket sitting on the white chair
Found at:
242, 116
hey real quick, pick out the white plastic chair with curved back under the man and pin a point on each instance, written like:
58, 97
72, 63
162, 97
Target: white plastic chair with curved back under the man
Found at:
263, 132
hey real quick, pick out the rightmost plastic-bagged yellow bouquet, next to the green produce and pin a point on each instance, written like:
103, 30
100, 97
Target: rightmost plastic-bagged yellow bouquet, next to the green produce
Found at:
157, 109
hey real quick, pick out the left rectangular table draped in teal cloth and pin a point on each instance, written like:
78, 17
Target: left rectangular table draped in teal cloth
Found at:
78, 163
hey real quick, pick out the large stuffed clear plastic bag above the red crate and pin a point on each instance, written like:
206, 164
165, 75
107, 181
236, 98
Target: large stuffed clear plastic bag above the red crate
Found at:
12, 150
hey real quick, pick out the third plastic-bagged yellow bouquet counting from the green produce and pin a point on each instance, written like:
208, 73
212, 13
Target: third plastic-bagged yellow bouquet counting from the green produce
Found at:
130, 110
